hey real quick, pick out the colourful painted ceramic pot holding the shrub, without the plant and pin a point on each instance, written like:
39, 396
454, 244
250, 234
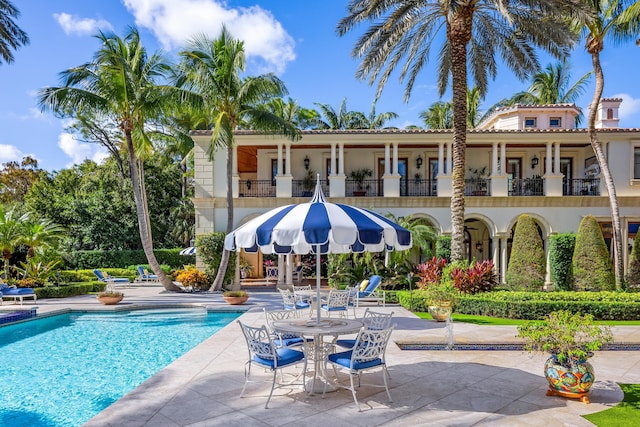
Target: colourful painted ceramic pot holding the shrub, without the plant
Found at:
569, 381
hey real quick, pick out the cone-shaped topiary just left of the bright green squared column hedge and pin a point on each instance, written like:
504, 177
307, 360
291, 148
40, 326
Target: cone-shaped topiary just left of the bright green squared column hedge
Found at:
527, 265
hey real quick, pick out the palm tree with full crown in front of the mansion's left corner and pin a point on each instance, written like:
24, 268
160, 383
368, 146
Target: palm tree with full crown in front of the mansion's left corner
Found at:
212, 68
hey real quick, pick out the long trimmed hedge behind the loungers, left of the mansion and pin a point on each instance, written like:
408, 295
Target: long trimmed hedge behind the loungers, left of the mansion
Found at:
123, 258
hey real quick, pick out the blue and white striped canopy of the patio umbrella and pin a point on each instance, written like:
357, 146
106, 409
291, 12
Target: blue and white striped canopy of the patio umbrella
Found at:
305, 227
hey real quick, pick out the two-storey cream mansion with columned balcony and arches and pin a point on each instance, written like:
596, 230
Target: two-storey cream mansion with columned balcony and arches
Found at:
523, 159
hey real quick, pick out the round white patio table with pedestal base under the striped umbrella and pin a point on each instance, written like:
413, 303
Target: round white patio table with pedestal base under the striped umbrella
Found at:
320, 349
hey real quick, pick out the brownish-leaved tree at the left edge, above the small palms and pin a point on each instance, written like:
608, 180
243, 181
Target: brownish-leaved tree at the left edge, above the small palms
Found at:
17, 178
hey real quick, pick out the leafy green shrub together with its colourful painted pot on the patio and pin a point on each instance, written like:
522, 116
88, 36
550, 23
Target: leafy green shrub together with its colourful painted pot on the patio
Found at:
571, 339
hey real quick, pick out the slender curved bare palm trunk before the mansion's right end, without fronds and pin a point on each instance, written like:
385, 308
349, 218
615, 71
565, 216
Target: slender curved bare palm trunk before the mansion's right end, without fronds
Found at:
618, 259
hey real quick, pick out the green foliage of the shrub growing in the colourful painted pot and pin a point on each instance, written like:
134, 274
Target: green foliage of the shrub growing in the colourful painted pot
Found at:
570, 337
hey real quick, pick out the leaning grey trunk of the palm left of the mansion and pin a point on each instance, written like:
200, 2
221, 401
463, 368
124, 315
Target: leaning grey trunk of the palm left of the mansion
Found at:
143, 217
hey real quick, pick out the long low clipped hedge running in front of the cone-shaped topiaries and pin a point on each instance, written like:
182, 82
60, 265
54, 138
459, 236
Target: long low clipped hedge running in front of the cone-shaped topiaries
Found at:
536, 305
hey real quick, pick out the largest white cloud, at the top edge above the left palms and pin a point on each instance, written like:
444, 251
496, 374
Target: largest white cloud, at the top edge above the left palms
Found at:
267, 45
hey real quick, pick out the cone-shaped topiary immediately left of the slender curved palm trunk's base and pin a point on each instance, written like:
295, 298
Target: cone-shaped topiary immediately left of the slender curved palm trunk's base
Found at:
592, 267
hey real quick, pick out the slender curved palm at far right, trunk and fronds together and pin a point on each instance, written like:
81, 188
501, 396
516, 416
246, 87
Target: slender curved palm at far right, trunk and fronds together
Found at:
618, 21
